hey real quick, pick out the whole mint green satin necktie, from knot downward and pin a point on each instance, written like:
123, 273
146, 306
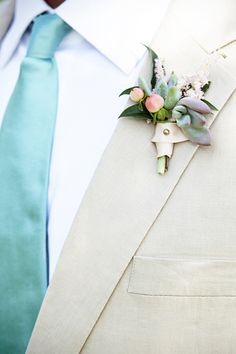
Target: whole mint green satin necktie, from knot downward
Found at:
26, 138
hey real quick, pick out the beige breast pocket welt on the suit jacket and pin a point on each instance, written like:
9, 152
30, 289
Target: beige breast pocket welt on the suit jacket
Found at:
183, 277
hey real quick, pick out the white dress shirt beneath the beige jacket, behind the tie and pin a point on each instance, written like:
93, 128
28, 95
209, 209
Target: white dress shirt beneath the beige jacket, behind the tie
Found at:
100, 58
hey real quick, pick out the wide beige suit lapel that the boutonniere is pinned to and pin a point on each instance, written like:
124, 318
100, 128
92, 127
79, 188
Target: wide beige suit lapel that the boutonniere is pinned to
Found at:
121, 205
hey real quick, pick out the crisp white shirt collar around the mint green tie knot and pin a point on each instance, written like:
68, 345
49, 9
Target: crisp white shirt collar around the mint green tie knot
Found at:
110, 26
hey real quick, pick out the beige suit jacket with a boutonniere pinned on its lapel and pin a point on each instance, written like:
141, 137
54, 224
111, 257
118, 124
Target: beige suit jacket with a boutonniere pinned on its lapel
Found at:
149, 266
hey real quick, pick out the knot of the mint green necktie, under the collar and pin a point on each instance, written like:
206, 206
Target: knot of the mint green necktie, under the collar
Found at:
47, 33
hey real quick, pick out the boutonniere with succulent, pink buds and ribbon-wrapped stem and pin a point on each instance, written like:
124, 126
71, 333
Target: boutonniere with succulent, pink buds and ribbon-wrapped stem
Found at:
175, 106
